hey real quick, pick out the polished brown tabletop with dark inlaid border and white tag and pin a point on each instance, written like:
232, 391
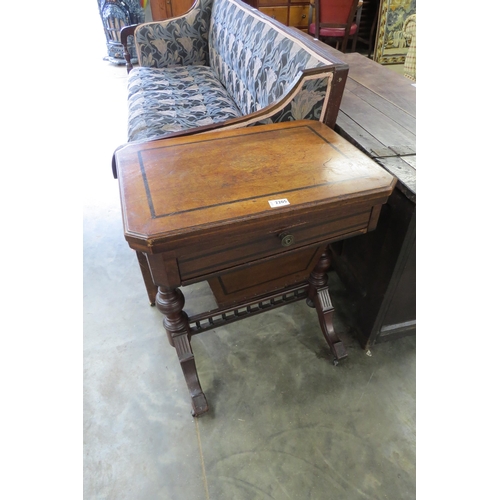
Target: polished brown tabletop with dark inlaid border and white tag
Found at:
183, 185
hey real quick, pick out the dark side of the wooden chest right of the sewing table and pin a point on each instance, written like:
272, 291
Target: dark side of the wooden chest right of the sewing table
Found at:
378, 270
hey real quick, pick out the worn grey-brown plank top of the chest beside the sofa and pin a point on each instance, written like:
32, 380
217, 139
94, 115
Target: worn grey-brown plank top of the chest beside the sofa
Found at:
378, 115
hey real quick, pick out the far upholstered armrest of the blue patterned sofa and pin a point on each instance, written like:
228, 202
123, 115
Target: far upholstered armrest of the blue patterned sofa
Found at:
180, 40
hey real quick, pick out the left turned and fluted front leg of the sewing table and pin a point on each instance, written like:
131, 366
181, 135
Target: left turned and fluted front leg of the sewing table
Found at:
170, 302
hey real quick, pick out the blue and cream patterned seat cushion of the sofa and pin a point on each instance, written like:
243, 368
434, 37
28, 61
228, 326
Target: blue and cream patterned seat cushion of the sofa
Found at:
166, 100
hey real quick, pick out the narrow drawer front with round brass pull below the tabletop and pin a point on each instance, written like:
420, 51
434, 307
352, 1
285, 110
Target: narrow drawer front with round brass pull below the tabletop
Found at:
250, 246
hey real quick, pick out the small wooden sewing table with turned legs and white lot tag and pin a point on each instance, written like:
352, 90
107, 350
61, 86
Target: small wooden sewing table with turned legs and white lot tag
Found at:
250, 210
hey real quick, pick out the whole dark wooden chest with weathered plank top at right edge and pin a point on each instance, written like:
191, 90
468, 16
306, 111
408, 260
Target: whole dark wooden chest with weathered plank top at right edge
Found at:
378, 115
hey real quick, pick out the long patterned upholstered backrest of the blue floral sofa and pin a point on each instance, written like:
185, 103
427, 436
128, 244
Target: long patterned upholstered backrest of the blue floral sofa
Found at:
256, 60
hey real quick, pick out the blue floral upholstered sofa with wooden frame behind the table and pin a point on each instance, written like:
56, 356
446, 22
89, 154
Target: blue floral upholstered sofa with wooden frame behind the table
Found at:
225, 64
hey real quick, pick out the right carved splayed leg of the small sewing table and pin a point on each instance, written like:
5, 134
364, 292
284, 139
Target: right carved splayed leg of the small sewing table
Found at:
319, 297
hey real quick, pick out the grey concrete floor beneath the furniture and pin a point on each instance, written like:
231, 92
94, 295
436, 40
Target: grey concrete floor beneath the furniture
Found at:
284, 422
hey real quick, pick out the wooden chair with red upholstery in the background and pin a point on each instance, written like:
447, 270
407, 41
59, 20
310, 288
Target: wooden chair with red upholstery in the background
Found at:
334, 19
